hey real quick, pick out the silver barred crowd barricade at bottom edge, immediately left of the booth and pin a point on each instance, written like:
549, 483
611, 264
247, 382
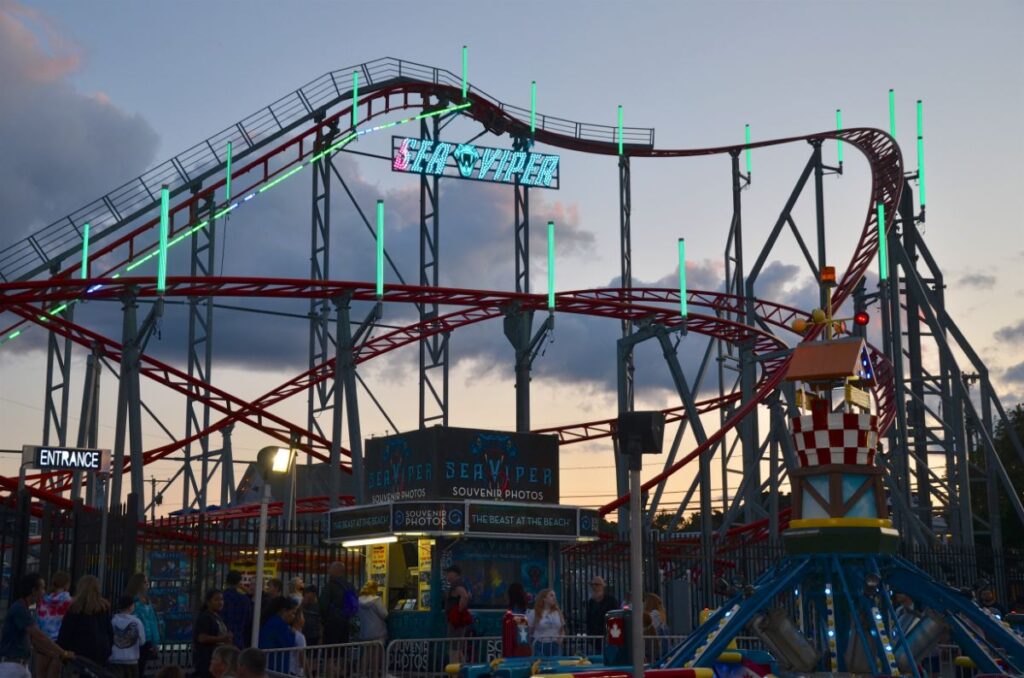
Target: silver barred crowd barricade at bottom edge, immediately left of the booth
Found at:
358, 660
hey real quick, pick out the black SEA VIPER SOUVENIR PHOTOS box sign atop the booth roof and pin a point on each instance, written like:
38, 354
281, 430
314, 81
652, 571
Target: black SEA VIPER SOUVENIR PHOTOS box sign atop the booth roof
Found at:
446, 463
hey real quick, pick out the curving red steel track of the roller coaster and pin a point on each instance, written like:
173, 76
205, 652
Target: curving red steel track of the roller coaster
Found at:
22, 299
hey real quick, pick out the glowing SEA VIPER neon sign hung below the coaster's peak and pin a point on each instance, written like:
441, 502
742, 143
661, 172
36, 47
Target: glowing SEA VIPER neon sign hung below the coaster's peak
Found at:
470, 161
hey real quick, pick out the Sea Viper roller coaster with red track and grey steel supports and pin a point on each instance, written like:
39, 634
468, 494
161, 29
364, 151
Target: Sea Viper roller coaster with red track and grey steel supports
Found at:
938, 419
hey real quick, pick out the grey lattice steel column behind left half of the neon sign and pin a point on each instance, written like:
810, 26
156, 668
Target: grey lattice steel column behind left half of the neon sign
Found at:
435, 350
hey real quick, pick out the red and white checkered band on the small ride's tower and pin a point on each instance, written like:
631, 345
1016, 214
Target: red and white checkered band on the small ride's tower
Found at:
836, 439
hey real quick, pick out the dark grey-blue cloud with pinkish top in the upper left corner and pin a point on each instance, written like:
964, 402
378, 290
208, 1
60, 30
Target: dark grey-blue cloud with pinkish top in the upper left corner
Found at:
60, 148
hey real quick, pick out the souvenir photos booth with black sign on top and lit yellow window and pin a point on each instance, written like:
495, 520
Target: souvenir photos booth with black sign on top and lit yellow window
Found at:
487, 501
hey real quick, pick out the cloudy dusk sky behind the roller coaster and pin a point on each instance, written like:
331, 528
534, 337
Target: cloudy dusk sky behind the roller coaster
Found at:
95, 94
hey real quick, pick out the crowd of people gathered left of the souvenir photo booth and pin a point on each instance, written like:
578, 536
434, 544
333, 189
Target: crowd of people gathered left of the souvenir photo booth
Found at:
45, 630
